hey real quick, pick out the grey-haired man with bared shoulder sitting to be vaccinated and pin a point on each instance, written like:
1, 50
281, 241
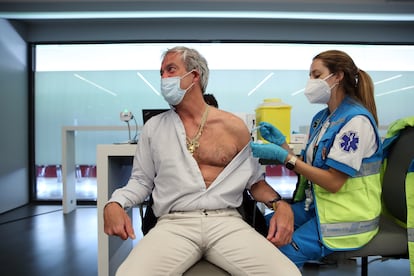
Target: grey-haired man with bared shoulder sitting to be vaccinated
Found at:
196, 161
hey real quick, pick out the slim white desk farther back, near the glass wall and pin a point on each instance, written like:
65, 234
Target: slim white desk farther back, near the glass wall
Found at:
69, 165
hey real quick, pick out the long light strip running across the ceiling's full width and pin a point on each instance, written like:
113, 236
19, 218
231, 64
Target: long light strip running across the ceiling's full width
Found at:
211, 14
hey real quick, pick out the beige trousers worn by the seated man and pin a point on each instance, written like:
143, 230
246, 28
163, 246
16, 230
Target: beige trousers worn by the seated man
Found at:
180, 239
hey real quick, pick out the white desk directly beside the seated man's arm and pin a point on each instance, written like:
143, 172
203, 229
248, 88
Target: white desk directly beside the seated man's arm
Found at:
114, 163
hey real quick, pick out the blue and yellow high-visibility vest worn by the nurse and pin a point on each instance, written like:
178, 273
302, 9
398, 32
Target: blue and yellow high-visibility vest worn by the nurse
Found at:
349, 218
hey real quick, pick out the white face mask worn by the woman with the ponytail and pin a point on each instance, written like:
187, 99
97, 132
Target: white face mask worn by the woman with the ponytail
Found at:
318, 90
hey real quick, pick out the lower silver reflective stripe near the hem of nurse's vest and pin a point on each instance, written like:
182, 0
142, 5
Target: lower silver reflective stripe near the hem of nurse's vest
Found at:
348, 228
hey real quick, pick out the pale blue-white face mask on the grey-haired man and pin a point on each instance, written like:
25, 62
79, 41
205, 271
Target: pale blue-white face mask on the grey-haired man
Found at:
171, 89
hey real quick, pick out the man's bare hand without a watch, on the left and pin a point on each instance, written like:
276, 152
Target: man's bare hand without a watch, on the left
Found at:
117, 222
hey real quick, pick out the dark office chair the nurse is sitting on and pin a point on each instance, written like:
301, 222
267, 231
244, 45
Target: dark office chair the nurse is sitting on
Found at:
392, 239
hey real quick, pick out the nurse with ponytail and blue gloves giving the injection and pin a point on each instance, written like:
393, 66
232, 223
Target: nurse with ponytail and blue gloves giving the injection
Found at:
338, 199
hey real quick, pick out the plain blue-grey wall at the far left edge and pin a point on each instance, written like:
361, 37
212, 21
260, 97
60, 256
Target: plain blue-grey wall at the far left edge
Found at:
14, 184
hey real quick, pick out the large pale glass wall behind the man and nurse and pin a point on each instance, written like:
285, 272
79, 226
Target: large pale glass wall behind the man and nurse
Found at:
90, 84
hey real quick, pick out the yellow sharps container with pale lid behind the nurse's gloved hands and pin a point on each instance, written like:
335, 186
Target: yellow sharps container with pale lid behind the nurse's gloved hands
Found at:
275, 112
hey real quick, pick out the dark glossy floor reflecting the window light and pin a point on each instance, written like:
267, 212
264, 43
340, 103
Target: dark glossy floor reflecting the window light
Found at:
40, 240
